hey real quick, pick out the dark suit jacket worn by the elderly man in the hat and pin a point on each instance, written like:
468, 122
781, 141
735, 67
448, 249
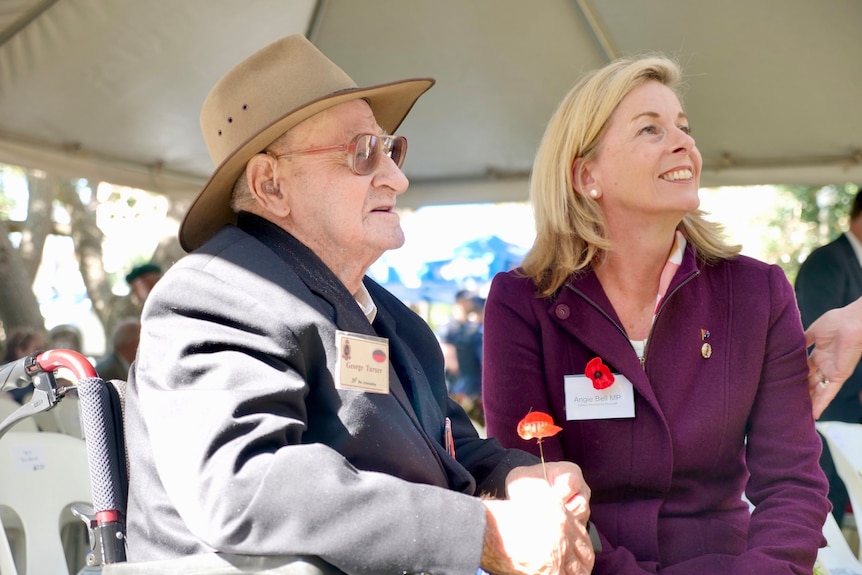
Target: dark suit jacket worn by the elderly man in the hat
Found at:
240, 442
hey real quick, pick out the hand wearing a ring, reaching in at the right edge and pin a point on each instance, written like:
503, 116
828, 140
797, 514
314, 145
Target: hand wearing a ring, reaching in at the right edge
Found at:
837, 340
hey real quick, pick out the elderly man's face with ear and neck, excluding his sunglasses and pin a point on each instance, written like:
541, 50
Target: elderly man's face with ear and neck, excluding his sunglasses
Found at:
346, 219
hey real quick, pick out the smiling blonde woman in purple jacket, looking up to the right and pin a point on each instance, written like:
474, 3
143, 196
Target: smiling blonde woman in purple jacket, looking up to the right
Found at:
633, 327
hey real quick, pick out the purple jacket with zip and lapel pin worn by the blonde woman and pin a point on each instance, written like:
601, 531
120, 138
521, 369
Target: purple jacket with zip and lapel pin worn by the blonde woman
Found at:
667, 484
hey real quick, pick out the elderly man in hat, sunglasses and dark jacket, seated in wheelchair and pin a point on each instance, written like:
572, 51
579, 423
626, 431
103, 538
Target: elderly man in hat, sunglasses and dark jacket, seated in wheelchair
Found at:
283, 403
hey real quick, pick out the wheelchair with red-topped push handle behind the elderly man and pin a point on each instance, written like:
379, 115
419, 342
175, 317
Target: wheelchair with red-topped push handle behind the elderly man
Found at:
101, 405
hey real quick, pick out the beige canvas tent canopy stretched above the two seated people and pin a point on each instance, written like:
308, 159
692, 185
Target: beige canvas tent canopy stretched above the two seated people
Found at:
111, 89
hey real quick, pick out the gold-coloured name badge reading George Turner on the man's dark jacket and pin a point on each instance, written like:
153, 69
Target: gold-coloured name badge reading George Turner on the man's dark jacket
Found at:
363, 362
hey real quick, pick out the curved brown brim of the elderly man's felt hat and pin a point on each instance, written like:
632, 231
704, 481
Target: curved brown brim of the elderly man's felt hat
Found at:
210, 210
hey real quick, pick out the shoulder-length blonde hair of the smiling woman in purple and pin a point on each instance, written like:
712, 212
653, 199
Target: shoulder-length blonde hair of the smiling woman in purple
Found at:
571, 229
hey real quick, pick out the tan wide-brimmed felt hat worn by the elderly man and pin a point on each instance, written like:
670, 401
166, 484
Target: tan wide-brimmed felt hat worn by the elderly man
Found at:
264, 96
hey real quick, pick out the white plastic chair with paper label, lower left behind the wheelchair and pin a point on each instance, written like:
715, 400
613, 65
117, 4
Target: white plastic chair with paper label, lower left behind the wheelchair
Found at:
41, 475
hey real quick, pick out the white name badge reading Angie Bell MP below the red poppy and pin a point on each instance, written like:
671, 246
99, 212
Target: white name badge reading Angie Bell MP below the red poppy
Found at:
583, 401
